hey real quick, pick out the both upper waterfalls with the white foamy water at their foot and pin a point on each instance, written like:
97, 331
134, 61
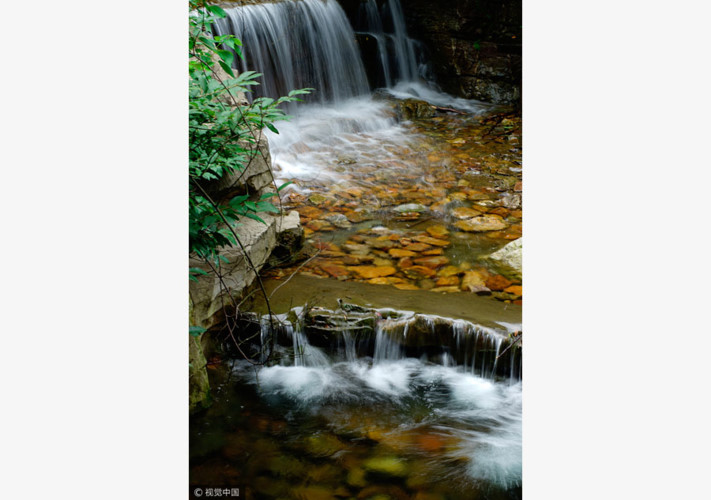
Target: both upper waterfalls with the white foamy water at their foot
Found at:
311, 44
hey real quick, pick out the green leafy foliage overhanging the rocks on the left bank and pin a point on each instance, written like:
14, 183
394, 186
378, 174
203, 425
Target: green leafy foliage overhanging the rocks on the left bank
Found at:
223, 133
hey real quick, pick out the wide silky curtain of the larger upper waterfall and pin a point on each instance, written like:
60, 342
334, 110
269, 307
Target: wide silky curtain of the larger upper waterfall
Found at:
307, 43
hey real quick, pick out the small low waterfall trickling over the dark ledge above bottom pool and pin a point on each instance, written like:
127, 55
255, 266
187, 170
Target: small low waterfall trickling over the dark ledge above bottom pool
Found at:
320, 338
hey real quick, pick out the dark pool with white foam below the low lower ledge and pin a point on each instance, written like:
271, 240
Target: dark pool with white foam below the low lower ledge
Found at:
401, 428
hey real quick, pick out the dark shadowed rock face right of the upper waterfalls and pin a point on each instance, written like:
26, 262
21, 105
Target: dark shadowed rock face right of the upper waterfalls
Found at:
475, 45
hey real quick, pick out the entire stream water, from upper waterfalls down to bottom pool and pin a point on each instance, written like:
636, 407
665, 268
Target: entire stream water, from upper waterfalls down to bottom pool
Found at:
412, 409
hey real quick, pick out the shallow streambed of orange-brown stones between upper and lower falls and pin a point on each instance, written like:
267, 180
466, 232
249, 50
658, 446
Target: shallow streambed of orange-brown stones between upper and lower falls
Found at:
421, 209
